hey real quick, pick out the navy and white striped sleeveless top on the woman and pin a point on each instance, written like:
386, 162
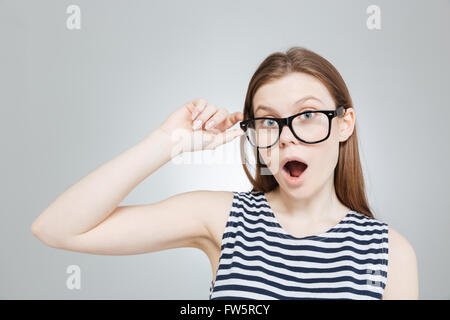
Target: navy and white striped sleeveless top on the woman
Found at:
260, 260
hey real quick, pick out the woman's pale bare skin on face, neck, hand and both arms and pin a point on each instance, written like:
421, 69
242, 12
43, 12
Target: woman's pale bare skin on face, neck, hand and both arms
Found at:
86, 217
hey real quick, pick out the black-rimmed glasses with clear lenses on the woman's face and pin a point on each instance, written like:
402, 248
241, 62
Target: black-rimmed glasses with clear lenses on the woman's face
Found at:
311, 126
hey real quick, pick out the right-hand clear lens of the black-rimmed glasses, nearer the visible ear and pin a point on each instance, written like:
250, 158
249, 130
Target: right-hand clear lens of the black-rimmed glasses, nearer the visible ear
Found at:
311, 126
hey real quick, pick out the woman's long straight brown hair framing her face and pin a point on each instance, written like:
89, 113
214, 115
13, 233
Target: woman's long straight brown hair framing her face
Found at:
348, 176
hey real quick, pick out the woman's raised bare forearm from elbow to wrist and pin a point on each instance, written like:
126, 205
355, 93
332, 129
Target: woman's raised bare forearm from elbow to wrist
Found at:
92, 199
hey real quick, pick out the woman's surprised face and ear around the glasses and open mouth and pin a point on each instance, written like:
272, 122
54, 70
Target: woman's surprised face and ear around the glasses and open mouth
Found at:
321, 158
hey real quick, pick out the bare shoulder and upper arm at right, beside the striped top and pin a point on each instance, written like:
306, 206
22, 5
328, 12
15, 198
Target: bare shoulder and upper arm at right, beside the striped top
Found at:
402, 275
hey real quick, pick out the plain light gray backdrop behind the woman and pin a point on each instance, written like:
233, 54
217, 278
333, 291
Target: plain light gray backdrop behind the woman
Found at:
72, 100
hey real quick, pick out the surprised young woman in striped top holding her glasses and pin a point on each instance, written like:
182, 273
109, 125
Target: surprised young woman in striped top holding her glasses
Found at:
304, 231
